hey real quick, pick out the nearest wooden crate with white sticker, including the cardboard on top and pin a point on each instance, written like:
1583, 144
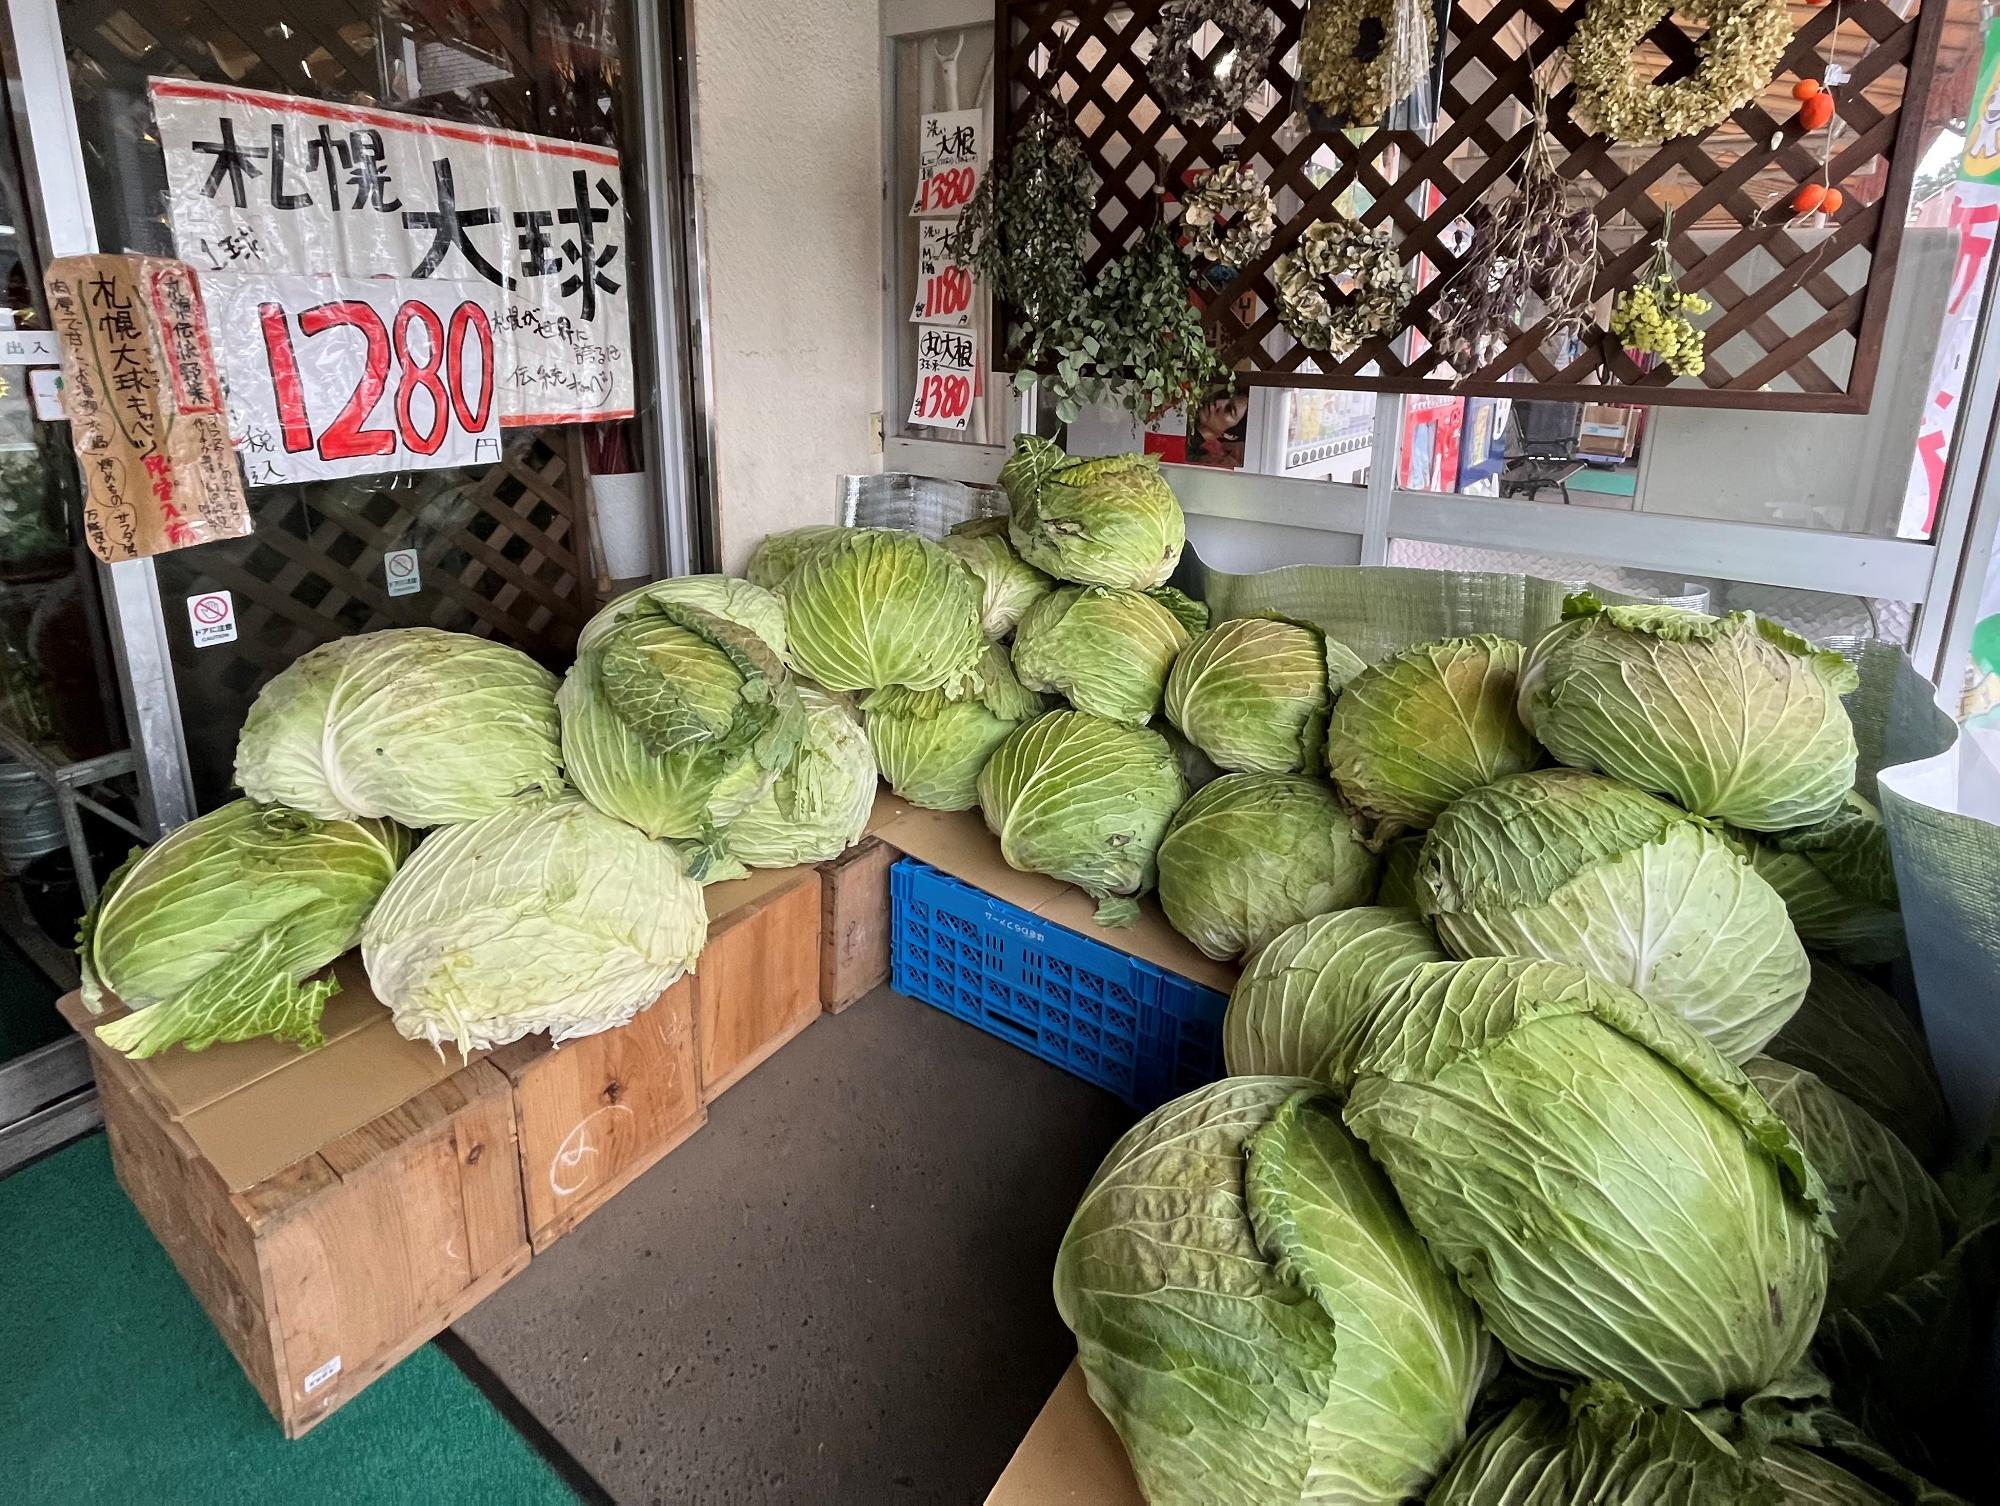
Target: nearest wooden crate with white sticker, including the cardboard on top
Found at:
323, 1269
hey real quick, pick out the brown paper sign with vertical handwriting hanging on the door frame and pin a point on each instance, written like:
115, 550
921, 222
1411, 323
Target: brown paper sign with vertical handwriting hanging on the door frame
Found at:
145, 407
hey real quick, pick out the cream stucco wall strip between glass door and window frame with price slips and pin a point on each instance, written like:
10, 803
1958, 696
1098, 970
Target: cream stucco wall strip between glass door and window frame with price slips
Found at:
789, 113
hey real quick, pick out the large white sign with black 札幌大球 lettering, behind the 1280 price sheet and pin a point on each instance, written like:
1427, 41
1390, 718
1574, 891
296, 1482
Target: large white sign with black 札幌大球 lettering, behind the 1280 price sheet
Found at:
287, 187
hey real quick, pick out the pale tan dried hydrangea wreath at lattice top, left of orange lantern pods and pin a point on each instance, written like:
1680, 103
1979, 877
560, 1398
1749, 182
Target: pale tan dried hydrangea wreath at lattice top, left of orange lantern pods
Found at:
1741, 51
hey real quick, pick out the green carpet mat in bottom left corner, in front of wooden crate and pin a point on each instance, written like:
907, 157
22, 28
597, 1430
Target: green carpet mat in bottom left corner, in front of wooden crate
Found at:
117, 1389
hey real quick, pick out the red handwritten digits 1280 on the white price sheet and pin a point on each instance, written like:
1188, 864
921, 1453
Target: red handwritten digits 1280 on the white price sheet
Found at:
443, 373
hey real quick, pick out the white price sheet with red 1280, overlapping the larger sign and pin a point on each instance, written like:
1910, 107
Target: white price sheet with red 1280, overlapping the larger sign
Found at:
355, 377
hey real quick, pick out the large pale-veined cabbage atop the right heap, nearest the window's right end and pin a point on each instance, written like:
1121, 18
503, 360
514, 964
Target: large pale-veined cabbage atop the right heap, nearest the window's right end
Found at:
1731, 717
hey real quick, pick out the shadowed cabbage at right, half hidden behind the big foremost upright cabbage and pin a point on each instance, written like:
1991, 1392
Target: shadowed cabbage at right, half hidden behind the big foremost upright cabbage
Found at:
1891, 1221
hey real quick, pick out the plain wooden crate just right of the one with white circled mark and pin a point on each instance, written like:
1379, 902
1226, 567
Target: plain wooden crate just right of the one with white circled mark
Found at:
759, 979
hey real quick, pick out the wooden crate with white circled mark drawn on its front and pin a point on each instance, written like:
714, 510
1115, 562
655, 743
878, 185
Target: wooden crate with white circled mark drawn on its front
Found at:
597, 1113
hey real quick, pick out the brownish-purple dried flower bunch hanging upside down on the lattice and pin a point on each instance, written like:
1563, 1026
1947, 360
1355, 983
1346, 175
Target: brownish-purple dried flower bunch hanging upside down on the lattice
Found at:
1529, 249
